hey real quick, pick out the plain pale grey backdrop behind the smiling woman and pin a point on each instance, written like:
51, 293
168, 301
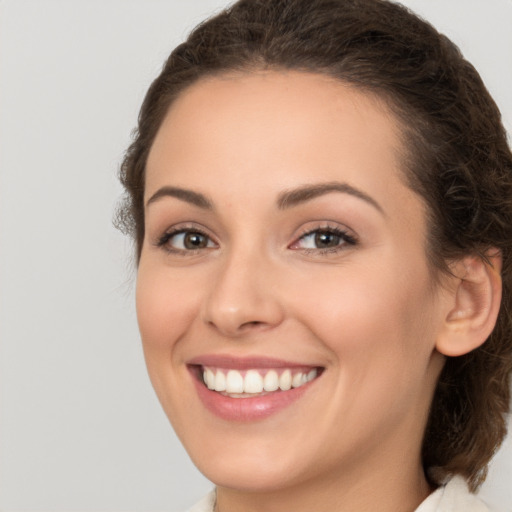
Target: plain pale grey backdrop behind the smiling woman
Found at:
80, 427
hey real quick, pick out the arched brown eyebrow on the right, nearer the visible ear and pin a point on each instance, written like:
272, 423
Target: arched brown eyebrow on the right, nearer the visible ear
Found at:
294, 197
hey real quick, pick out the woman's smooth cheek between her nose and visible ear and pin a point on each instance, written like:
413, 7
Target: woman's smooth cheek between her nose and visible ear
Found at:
378, 314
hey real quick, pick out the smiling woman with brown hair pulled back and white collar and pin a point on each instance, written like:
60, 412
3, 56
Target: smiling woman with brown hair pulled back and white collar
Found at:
320, 195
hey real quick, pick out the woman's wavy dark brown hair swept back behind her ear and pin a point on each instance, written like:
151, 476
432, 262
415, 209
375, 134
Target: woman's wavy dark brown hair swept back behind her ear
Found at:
457, 159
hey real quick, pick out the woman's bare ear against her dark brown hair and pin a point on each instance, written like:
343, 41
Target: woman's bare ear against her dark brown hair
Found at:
474, 304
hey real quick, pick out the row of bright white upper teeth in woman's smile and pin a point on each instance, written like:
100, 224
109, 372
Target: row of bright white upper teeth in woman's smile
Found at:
253, 381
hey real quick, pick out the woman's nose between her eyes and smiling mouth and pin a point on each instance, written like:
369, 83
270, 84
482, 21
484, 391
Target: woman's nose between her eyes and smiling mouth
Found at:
243, 296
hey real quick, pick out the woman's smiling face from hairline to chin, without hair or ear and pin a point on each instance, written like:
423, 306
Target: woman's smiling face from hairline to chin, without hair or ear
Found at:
284, 264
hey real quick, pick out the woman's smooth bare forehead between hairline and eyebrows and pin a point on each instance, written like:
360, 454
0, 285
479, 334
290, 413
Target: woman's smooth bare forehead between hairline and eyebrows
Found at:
277, 129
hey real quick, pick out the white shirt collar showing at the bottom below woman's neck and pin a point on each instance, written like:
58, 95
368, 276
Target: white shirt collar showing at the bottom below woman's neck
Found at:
453, 497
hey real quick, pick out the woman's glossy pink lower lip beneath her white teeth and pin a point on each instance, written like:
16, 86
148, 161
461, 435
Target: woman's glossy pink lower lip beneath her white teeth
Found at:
248, 409
